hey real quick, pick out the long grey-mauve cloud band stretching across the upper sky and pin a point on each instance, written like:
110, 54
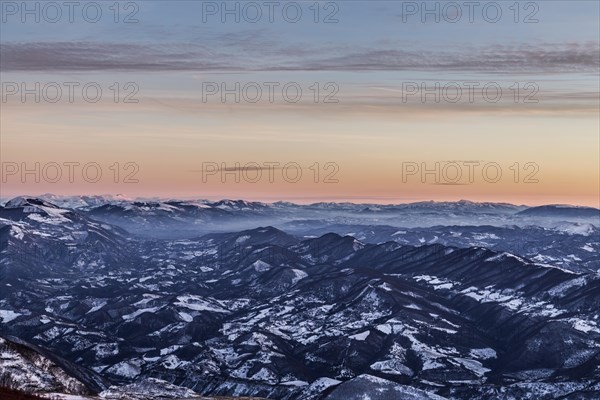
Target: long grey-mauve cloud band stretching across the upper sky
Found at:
264, 54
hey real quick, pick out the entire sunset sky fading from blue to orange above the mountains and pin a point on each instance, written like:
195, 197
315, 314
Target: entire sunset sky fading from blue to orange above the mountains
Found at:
365, 101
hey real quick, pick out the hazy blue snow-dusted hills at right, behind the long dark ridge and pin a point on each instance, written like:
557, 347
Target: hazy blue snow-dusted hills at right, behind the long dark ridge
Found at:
571, 245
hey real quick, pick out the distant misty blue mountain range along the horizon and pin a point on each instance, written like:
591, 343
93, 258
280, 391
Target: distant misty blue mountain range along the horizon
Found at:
189, 218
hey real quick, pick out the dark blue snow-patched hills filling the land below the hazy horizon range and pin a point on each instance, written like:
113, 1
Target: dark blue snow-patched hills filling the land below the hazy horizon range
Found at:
310, 312
